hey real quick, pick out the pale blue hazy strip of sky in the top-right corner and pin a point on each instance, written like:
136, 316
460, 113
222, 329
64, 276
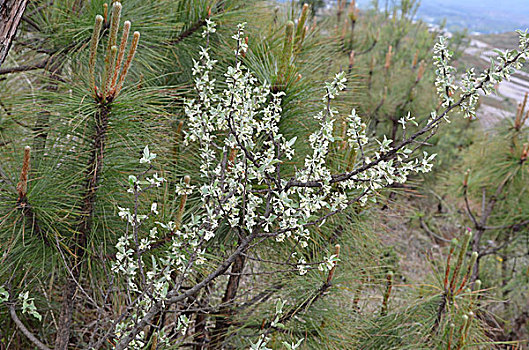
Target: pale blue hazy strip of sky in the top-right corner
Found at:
485, 16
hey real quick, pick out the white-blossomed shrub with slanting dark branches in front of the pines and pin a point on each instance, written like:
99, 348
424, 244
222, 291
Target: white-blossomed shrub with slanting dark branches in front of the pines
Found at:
244, 184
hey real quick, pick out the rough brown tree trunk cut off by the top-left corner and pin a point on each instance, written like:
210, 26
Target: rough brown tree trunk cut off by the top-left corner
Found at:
11, 12
